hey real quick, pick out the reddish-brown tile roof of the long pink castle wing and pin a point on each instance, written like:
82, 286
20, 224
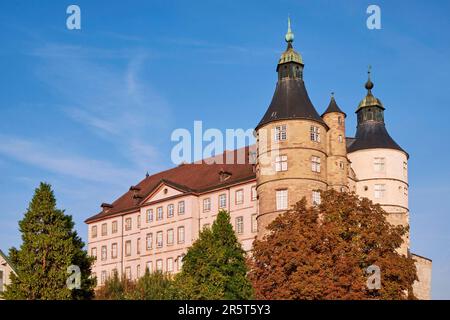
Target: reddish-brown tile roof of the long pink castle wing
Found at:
193, 178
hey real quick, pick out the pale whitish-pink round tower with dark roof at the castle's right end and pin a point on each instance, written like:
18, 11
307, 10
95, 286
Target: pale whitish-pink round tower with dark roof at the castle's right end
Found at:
380, 164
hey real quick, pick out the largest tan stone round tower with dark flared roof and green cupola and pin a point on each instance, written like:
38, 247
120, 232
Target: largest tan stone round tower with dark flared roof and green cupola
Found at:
291, 142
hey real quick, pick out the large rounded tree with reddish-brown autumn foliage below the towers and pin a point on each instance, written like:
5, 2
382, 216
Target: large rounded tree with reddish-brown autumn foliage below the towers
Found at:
323, 252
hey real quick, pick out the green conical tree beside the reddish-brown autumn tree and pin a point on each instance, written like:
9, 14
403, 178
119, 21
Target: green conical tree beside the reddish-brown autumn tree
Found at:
215, 266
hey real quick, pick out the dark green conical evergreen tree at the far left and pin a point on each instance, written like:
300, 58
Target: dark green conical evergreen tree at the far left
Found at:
49, 247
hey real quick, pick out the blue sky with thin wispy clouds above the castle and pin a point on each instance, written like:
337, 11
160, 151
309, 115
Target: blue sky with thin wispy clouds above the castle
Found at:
91, 111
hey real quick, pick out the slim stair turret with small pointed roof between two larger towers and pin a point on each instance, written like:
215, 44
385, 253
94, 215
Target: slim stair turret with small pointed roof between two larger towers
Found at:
337, 162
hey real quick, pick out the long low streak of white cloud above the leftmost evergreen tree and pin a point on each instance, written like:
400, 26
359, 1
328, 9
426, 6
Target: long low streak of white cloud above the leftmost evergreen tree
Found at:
51, 159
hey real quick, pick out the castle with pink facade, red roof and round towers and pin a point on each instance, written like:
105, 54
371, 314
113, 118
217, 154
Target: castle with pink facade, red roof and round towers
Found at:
298, 152
